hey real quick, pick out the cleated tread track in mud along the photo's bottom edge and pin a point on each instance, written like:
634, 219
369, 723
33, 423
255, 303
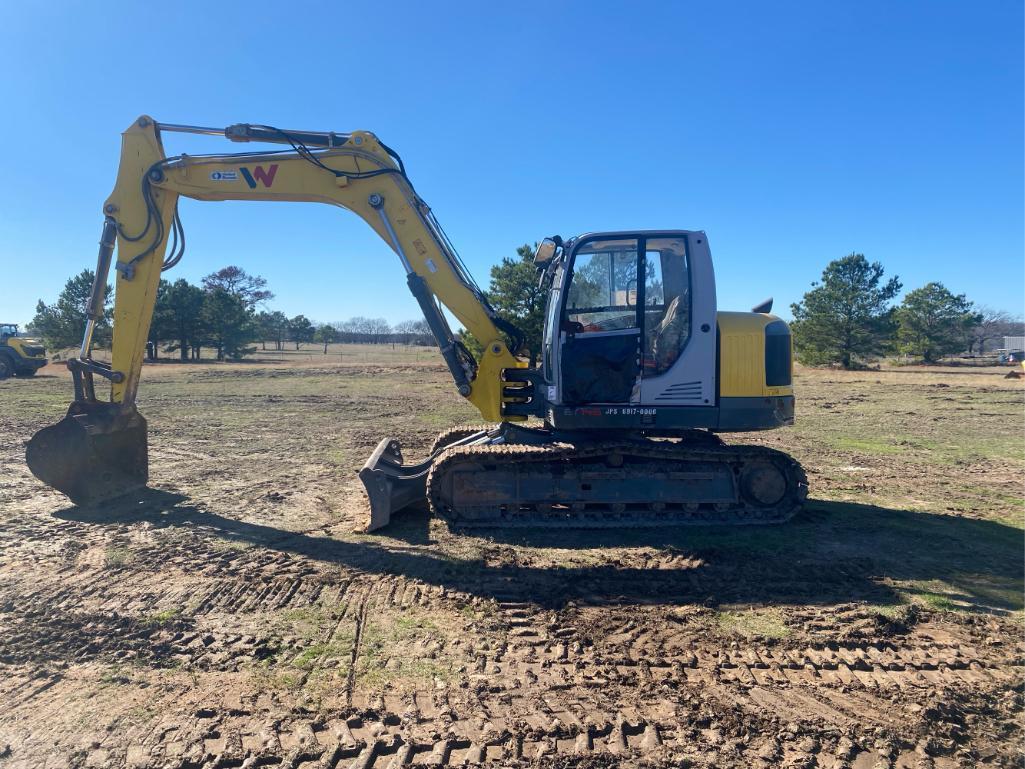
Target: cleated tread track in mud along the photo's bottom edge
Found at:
378, 741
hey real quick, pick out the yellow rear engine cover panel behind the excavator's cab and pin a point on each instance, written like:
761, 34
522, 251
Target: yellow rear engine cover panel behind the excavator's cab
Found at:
743, 356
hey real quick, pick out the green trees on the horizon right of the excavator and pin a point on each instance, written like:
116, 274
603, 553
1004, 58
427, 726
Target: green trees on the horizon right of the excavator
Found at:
850, 317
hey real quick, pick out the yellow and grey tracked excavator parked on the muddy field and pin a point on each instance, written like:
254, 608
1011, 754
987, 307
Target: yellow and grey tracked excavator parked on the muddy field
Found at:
619, 427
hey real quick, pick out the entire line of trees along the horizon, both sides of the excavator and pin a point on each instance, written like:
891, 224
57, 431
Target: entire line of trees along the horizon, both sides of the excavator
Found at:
849, 318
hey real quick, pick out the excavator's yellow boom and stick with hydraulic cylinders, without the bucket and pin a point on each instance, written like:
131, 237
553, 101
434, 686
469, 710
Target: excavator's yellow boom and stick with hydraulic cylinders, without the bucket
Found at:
354, 172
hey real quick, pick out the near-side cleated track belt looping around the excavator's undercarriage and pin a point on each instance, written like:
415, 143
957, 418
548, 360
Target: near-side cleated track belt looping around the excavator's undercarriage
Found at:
559, 455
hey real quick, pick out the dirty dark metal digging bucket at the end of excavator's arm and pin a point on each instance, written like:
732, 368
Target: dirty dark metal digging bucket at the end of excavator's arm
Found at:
96, 454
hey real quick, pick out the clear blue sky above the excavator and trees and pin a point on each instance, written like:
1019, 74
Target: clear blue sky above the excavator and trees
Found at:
792, 133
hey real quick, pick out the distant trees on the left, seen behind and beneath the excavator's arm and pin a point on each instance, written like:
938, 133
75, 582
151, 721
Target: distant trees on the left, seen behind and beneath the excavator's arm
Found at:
221, 315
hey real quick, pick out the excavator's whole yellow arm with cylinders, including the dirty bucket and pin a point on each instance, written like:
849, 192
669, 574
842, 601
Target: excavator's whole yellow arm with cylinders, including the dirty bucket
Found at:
99, 451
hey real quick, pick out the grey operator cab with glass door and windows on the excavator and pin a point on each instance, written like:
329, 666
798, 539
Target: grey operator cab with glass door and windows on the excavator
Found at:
631, 320
